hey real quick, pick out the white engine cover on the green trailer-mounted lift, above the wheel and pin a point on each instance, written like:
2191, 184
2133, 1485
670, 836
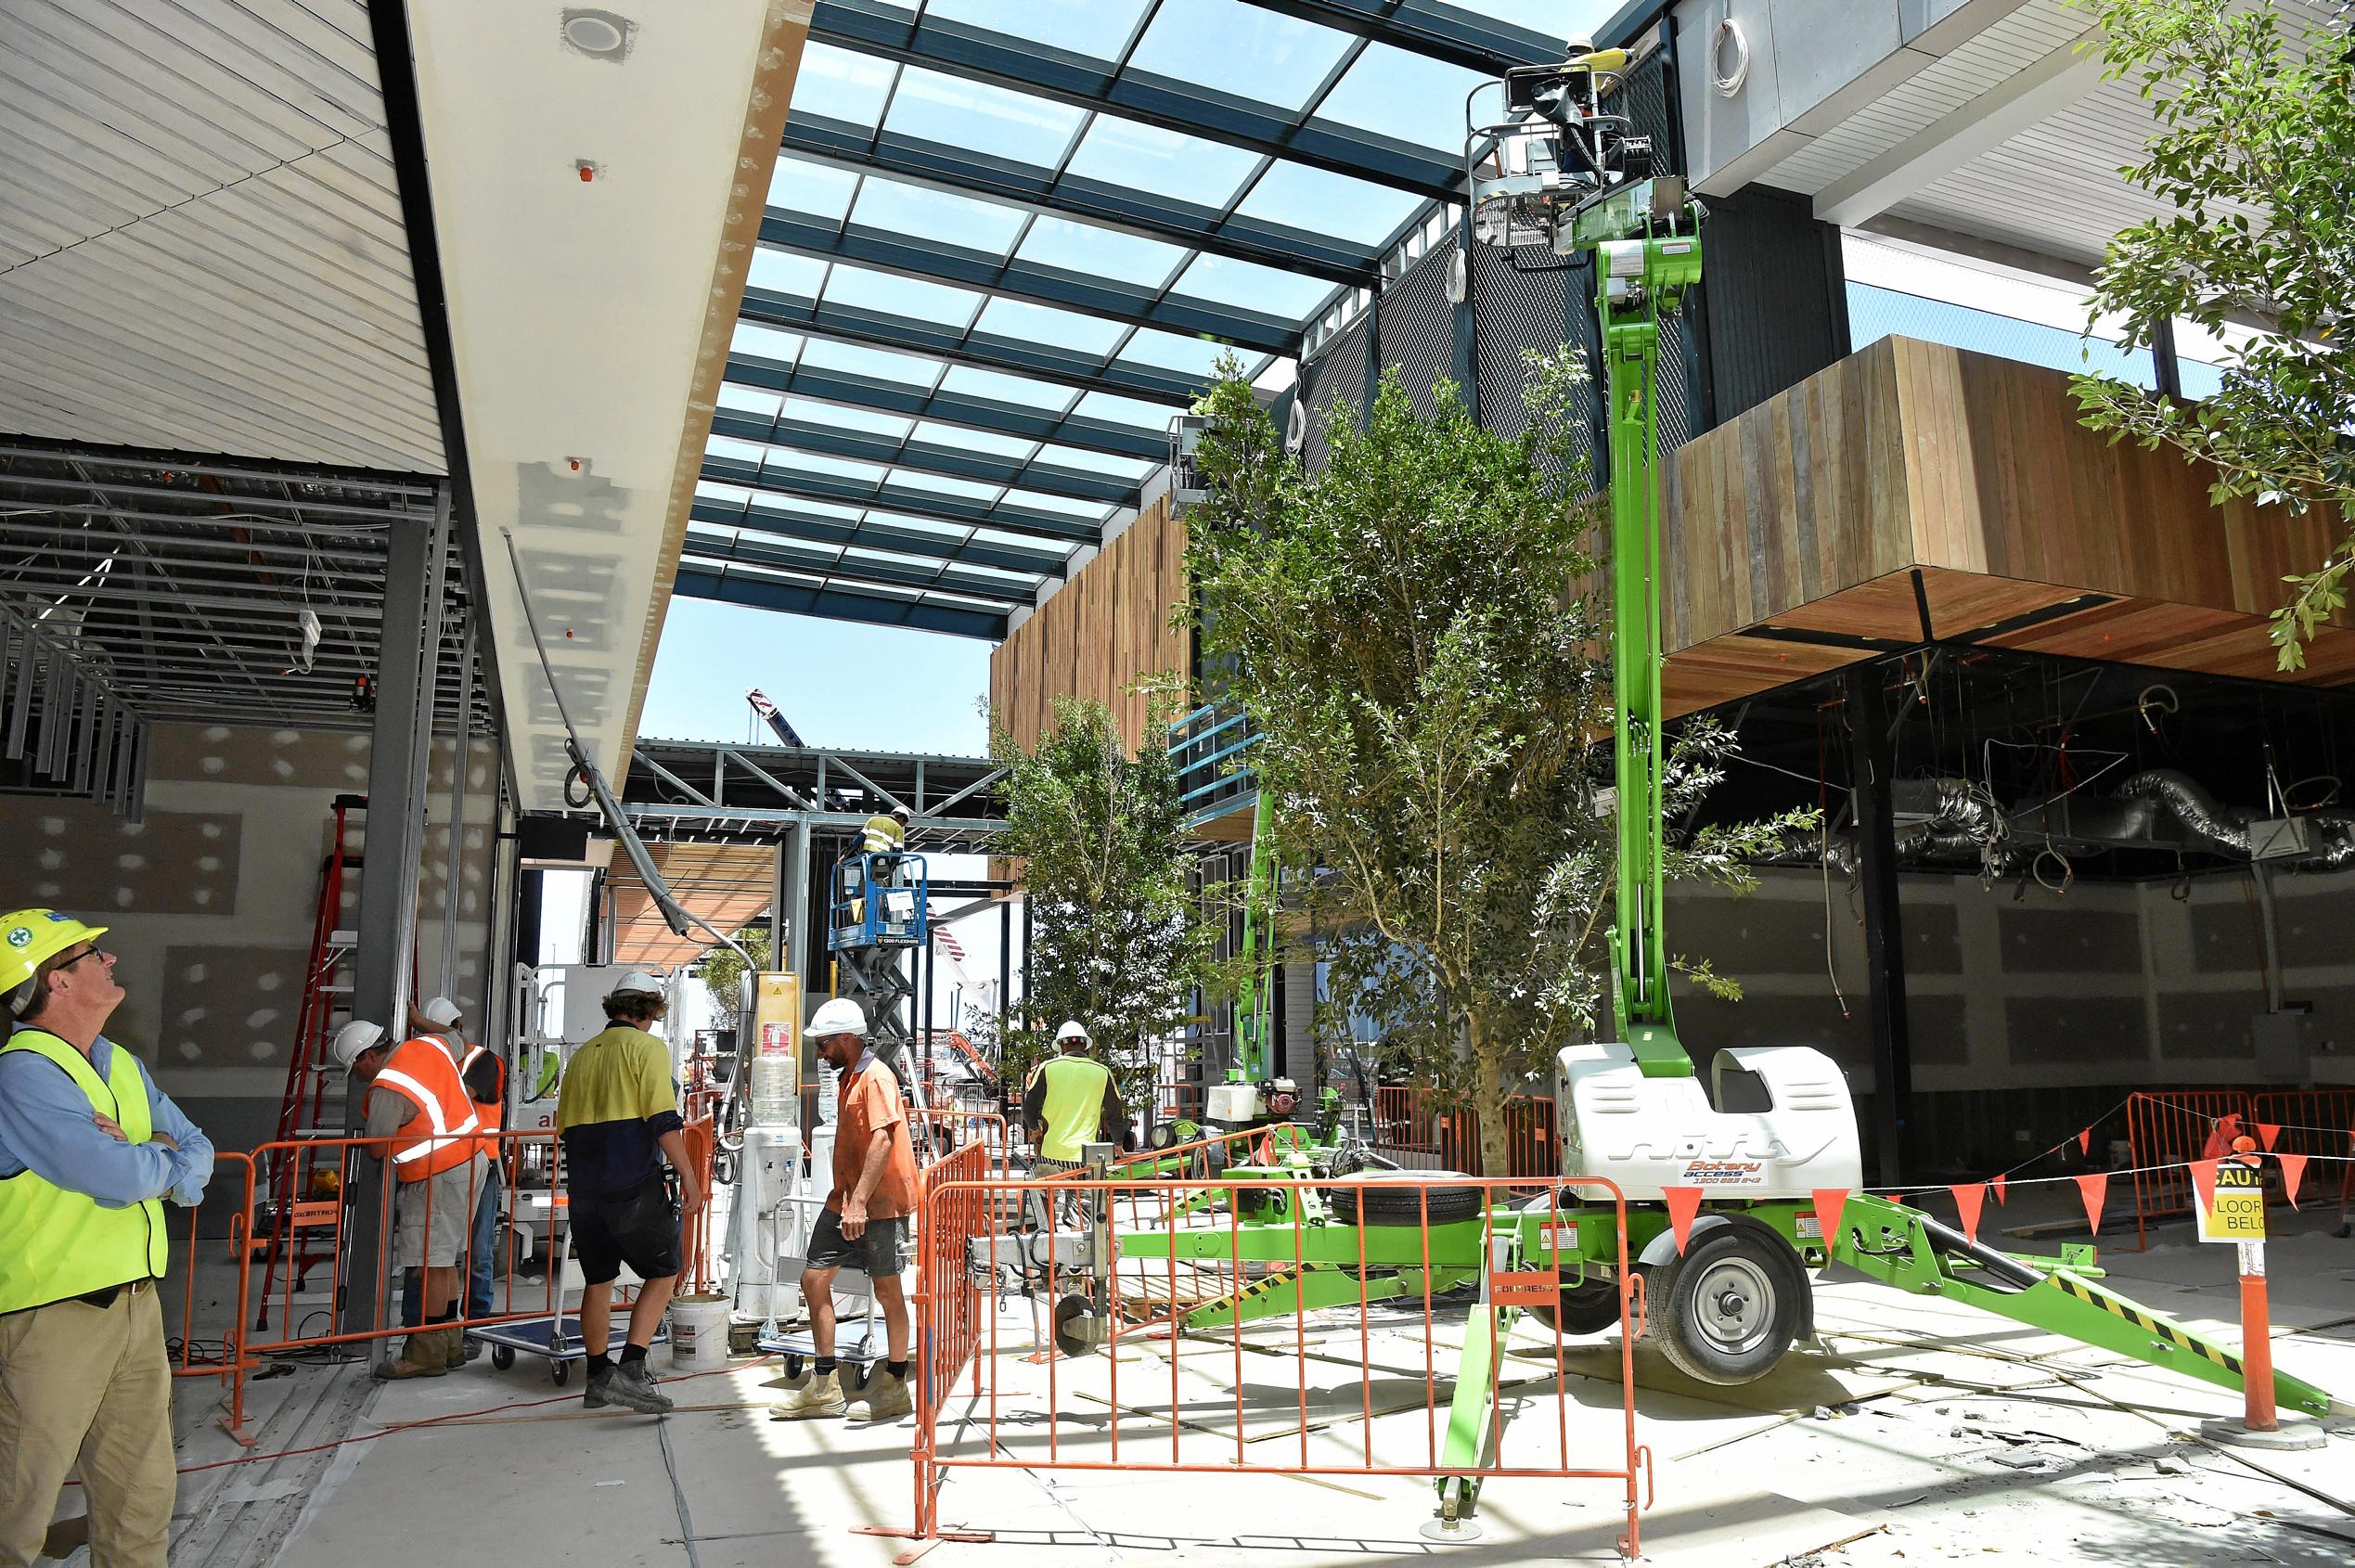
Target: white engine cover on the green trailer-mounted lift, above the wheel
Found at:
1652, 1134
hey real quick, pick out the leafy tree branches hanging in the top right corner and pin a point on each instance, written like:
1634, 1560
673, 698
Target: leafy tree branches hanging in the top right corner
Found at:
2255, 159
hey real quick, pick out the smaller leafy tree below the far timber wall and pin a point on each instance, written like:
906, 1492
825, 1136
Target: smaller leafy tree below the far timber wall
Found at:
1103, 861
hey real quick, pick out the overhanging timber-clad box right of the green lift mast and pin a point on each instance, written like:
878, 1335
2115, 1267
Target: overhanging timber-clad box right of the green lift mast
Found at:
1815, 510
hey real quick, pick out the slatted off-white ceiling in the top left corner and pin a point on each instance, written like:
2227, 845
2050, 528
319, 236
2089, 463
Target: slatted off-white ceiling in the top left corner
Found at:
201, 241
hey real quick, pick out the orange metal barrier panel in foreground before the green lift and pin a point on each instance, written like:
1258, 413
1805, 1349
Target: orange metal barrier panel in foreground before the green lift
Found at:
1021, 1409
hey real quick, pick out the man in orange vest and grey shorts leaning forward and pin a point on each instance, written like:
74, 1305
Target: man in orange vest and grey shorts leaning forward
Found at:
418, 1105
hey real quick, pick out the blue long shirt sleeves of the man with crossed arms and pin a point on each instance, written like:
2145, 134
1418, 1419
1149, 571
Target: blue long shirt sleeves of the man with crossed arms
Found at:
48, 1129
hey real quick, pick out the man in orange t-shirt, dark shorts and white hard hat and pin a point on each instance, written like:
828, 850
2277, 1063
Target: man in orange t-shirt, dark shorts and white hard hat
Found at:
868, 1218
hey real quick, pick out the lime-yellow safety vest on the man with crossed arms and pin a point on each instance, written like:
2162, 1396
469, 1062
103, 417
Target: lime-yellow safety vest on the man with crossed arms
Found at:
60, 1242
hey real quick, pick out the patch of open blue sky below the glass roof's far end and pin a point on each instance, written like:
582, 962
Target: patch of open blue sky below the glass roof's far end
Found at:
877, 689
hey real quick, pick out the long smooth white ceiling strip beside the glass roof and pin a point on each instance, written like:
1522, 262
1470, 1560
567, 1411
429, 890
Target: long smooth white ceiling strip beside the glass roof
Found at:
590, 317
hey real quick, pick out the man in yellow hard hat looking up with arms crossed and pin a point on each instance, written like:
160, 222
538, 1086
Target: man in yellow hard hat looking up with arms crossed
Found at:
88, 1152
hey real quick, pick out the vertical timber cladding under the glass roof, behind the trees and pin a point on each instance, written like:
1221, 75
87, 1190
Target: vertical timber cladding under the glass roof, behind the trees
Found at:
1096, 637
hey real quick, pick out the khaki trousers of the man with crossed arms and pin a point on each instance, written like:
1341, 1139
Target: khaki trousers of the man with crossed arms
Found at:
88, 1386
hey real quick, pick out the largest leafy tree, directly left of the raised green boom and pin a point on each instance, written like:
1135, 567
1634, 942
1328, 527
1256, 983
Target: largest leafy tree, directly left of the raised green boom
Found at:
1419, 639
